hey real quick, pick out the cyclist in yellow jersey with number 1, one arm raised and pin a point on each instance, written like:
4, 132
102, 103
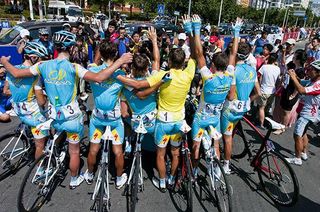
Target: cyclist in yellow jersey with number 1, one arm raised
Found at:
170, 116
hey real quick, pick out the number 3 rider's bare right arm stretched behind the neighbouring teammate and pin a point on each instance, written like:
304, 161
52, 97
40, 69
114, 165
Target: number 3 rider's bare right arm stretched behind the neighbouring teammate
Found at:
106, 73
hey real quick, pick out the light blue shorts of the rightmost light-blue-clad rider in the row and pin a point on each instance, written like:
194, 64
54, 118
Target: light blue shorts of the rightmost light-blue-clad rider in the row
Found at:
229, 120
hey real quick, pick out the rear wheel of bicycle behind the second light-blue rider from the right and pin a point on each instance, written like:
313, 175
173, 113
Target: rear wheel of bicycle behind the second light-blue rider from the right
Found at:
220, 187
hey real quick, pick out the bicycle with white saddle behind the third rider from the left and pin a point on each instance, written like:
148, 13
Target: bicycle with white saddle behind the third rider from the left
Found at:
101, 193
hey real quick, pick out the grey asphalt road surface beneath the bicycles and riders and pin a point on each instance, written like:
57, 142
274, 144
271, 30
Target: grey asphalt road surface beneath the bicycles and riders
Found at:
247, 194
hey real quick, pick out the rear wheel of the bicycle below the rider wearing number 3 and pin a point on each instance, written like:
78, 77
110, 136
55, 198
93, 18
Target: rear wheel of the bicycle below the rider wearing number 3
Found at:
33, 191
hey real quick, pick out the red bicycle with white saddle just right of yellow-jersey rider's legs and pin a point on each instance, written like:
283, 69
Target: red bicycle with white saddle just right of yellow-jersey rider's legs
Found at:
185, 178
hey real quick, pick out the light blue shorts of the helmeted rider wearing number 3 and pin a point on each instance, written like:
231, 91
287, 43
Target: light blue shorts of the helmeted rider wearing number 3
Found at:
73, 127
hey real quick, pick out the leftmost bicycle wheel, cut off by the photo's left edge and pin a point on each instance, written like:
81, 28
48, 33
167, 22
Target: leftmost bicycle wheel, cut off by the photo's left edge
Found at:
8, 162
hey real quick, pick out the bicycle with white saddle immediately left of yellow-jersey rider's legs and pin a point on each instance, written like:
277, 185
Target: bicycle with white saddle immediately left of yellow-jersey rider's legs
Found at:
135, 180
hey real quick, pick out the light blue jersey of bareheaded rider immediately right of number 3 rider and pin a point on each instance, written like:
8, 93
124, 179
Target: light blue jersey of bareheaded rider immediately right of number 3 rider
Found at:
106, 94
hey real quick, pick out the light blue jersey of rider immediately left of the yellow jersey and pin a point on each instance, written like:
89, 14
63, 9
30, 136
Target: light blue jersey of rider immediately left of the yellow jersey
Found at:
140, 106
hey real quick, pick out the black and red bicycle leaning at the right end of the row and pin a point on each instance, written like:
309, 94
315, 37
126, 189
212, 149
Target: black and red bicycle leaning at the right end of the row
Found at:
276, 181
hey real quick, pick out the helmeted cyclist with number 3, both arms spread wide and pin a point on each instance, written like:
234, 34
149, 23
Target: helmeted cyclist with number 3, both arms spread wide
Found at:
60, 79
